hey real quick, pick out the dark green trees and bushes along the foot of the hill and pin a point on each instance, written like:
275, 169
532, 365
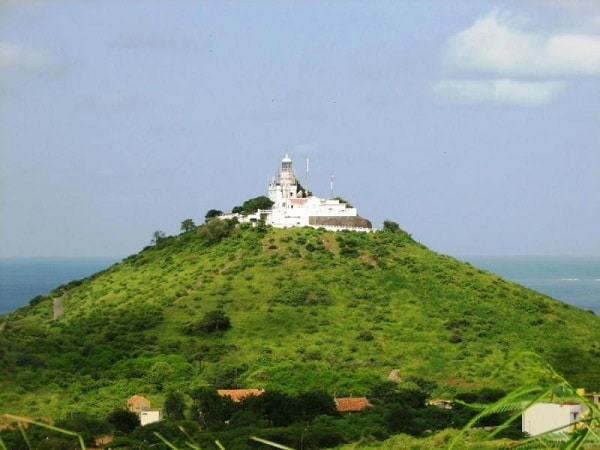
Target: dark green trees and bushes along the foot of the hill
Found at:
307, 420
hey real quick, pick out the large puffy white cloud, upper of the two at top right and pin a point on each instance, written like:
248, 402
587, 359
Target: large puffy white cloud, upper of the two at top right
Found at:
498, 44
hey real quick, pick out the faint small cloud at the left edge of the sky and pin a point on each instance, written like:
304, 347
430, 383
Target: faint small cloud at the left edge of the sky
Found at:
14, 57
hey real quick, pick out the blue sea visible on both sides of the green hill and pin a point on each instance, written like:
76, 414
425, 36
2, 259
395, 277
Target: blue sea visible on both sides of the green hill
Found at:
573, 280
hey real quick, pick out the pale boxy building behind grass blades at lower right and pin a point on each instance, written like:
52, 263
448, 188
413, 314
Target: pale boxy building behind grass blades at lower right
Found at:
551, 418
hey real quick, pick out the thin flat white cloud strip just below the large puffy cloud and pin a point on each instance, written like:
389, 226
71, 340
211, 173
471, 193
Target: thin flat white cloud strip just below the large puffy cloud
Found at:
499, 91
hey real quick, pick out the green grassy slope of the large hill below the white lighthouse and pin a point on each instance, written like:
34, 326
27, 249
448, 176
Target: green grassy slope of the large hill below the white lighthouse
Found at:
309, 309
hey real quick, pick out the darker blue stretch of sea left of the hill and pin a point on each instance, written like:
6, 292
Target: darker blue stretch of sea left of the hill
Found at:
22, 279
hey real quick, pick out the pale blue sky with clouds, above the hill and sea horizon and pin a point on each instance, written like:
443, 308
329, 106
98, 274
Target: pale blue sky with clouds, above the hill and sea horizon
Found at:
473, 124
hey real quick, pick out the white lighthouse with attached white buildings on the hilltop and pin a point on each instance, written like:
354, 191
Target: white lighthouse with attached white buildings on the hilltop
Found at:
295, 206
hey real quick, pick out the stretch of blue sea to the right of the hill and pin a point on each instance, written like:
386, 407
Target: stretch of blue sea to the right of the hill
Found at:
574, 280
